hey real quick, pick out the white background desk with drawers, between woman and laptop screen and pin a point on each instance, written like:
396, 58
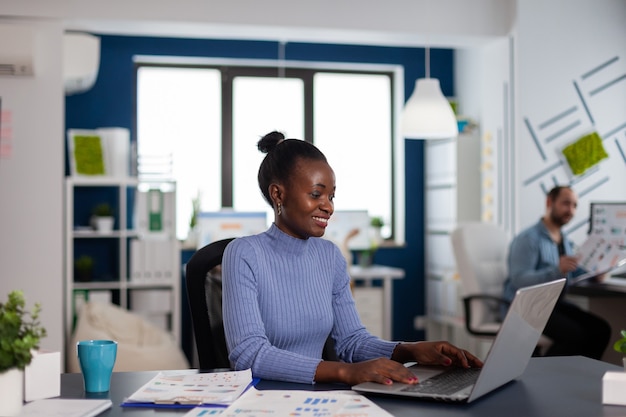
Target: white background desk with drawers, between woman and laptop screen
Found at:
369, 275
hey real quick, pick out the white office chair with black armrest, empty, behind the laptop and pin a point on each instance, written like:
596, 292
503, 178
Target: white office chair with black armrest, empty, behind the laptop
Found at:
481, 250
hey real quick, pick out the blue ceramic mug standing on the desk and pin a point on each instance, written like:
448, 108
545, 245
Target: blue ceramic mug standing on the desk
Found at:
96, 359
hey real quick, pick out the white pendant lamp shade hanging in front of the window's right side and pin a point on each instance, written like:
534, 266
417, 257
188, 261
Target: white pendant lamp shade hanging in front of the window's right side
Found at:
428, 114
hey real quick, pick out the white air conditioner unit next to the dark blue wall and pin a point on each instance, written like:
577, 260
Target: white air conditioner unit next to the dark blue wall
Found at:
81, 62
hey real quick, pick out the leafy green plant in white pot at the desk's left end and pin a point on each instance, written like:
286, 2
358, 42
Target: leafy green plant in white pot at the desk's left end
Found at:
20, 333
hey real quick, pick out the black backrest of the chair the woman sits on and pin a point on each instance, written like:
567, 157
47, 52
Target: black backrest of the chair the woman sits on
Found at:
204, 292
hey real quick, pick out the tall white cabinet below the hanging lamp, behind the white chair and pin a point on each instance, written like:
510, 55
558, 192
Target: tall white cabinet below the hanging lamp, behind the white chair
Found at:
452, 195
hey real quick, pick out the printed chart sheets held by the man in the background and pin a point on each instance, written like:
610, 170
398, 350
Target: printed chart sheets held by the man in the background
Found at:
599, 255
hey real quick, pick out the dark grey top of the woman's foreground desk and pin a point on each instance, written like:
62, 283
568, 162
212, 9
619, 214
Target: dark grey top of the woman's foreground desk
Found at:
567, 386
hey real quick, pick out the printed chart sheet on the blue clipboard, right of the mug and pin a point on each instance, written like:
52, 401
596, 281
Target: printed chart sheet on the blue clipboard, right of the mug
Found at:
221, 388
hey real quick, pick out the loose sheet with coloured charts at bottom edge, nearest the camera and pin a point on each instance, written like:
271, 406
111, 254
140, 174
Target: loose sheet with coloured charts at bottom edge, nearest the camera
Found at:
303, 403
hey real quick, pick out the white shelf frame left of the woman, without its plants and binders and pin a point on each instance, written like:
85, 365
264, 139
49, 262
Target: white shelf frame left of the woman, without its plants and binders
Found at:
112, 251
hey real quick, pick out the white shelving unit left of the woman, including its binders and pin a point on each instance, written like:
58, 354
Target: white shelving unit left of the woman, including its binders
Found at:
136, 265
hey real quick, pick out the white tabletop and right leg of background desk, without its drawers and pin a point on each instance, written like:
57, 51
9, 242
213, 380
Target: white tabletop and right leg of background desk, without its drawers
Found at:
387, 274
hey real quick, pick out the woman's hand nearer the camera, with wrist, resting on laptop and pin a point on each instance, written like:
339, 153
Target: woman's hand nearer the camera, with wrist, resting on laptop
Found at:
381, 370
